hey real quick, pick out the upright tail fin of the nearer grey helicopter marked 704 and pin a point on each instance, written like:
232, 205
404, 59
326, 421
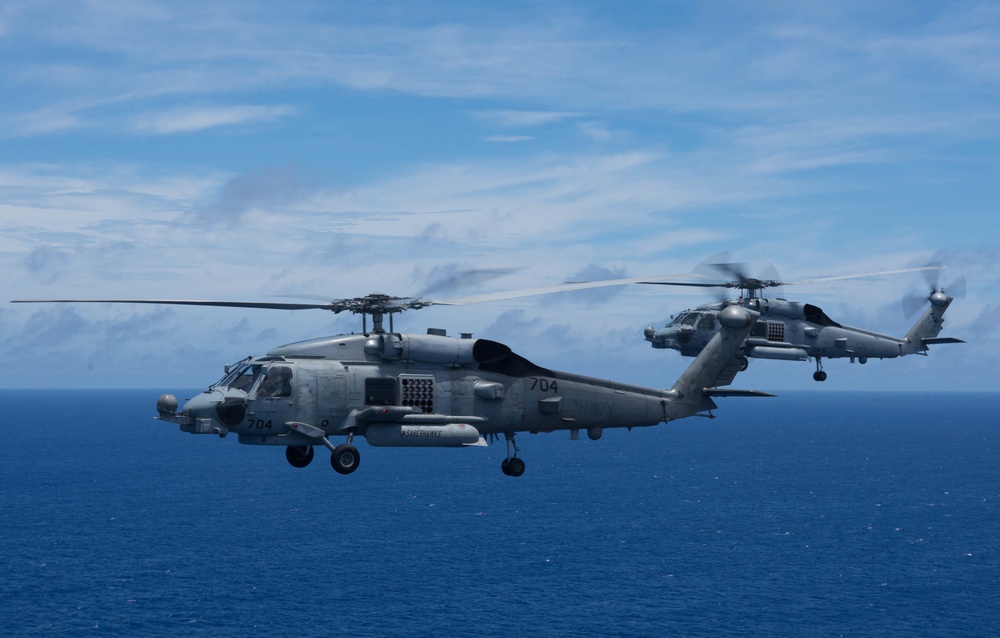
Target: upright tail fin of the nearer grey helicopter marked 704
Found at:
693, 390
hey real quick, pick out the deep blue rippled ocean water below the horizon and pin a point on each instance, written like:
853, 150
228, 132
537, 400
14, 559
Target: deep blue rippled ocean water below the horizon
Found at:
812, 514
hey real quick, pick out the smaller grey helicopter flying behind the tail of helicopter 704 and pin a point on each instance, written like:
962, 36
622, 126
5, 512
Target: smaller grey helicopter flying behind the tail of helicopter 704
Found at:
794, 331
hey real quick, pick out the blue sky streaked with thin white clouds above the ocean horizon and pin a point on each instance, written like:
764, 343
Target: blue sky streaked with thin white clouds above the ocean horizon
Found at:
257, 151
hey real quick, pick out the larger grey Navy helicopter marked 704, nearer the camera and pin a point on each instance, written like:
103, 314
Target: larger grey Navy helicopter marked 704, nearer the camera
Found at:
429, 390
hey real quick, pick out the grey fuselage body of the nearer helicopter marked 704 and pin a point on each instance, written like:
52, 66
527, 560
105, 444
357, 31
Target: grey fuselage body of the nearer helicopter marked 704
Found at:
411, 390
